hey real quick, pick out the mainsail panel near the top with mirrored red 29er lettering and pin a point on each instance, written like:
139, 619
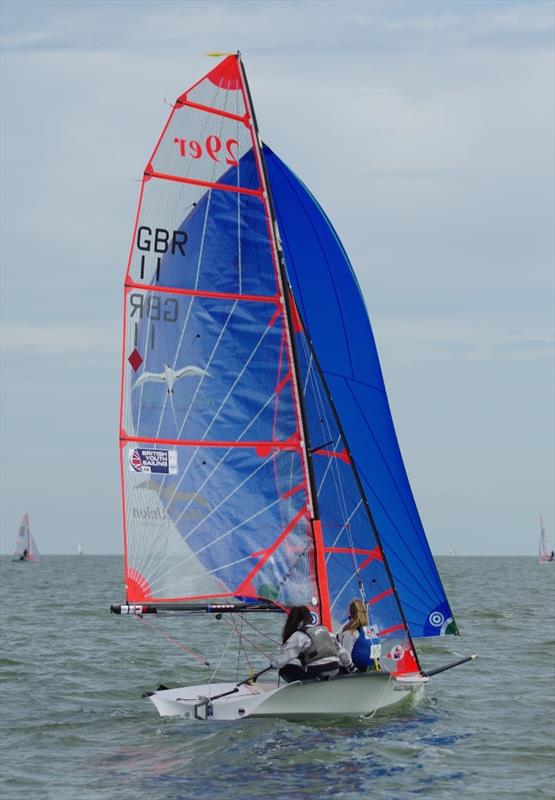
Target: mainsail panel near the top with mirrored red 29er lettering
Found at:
201, 146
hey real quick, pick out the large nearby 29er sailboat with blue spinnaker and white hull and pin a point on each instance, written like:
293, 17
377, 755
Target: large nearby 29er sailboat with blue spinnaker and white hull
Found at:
259, 463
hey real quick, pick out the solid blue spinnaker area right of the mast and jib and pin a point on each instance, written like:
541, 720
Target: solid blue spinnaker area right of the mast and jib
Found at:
336, 320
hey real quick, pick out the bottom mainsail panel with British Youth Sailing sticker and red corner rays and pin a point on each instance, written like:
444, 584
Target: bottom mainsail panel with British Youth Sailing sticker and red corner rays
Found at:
207, 521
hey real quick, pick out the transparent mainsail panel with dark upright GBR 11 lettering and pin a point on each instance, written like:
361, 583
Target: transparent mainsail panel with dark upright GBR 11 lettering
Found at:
200, 239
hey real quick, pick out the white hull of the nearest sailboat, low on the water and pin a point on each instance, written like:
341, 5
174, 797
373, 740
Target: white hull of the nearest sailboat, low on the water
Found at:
346, 696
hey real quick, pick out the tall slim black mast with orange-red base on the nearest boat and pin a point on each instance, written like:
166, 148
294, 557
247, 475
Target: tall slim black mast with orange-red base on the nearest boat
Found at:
321, 574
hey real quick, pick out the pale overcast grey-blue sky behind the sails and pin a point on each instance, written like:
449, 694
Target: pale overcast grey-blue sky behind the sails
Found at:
425, 129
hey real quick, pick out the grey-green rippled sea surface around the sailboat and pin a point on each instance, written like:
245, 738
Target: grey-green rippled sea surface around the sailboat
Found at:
74, 724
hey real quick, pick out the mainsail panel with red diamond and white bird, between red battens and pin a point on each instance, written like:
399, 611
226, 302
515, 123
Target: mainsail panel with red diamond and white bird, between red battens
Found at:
207, 369
